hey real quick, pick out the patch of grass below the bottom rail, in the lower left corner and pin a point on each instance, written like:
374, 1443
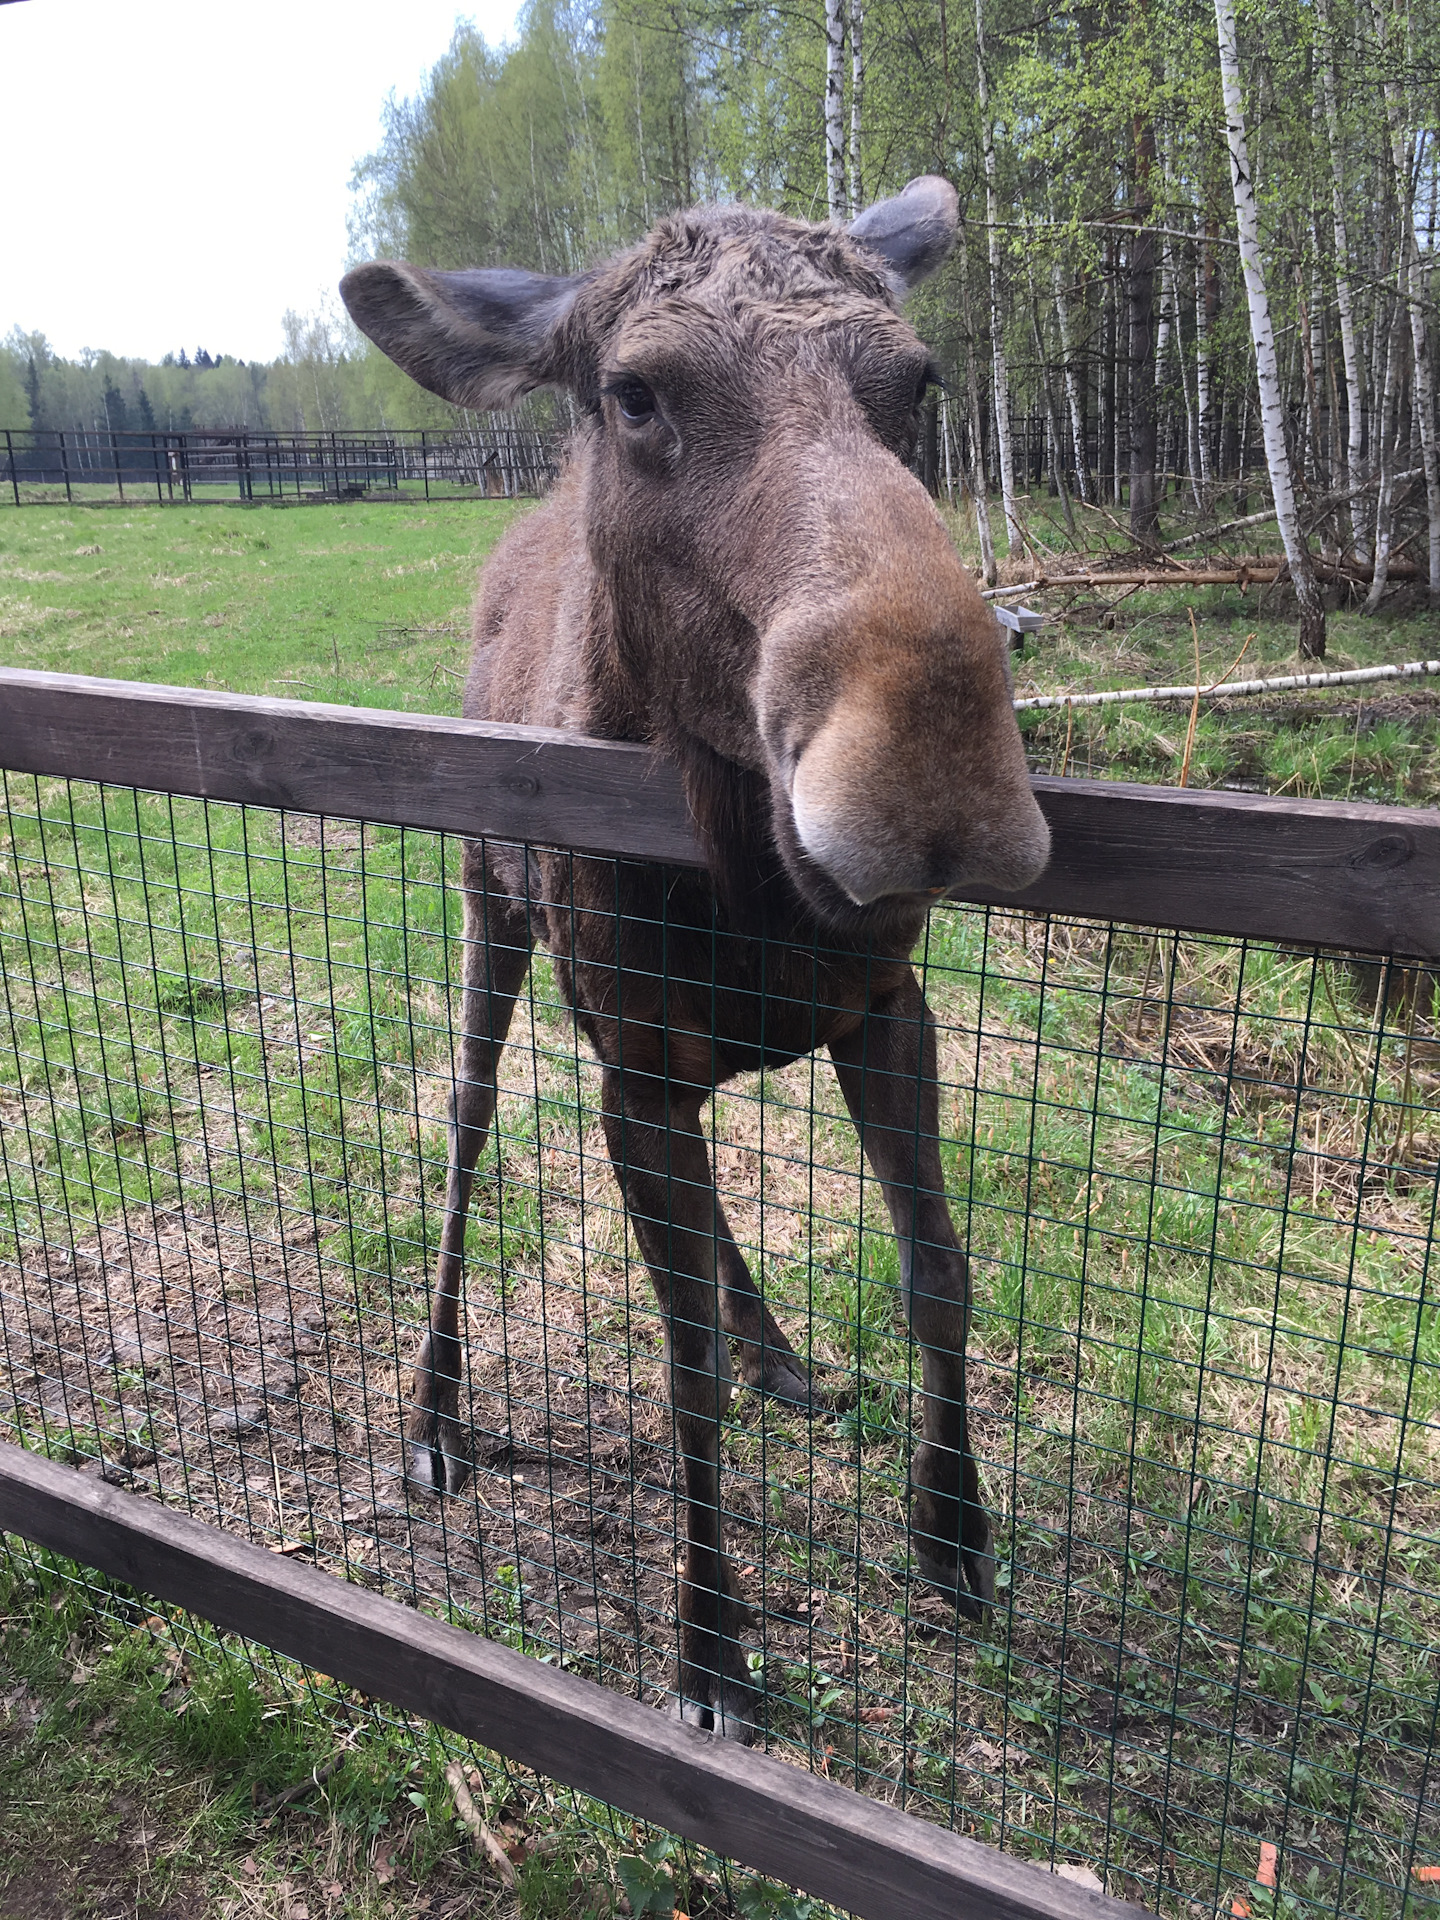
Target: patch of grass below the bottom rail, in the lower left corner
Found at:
147, 1767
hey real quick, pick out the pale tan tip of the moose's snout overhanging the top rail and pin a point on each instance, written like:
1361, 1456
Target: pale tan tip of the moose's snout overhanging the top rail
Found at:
886, 811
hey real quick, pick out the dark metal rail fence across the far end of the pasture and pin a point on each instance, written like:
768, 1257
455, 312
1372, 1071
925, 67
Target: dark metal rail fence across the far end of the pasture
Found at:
385, 464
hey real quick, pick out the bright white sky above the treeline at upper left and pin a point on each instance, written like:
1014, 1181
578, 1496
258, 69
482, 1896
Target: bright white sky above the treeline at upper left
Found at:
178, 170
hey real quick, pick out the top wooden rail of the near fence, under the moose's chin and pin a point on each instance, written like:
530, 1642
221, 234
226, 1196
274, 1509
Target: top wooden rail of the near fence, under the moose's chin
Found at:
1308, 873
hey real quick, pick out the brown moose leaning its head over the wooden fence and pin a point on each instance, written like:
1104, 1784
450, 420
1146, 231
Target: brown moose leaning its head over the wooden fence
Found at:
740, 571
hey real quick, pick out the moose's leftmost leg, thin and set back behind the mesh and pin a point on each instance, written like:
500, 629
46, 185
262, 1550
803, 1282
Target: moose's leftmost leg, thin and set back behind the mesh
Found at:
498, 942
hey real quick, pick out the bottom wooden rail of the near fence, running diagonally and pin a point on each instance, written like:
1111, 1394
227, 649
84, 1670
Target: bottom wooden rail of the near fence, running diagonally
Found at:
865, 1858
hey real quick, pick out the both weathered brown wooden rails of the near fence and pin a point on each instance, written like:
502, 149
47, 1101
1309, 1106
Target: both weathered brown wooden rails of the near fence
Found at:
1333, 875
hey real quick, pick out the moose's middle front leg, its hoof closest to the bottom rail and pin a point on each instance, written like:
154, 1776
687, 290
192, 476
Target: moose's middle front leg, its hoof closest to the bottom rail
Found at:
665, 1176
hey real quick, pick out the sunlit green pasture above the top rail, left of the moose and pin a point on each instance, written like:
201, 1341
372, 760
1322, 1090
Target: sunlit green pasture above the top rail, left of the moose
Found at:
360, 604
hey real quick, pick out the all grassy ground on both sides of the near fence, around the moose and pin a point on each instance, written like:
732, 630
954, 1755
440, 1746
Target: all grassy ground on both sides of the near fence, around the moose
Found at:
1197, 1184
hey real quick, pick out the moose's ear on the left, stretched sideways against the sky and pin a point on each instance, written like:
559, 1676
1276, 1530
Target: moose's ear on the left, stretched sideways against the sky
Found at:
479, 339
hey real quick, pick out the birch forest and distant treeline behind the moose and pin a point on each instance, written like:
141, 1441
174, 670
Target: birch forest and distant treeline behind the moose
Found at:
1195, 276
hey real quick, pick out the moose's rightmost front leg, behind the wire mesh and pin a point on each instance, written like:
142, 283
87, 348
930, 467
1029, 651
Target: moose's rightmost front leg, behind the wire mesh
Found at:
888, 1074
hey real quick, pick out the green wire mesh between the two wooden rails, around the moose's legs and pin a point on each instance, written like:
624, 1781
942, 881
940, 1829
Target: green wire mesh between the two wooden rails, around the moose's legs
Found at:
1197, 1180
